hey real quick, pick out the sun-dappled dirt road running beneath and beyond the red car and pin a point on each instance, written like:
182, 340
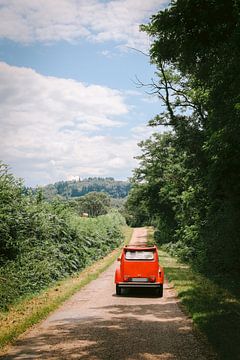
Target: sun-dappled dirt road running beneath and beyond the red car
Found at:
96, 324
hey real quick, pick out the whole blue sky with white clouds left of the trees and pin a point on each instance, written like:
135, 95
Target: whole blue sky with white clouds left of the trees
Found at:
70, 105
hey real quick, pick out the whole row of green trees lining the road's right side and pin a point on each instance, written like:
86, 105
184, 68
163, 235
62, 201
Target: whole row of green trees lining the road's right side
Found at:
188, 180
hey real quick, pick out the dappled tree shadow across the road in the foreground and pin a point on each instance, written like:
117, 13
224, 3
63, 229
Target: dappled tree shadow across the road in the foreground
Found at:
153, 331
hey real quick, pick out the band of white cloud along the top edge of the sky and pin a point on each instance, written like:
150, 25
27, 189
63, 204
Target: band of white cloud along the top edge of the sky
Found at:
46, 21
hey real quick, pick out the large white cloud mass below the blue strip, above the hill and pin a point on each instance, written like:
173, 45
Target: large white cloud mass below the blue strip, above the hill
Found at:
54, 128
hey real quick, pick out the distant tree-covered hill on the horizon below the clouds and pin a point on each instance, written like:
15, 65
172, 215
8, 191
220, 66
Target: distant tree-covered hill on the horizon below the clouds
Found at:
77, 188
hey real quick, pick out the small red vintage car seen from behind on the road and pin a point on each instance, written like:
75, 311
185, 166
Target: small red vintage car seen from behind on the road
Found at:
139, 268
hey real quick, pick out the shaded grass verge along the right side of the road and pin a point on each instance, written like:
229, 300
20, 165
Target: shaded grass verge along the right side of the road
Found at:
214, 310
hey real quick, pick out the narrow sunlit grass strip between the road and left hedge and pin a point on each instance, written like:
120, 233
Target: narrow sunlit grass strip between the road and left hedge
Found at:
31, 310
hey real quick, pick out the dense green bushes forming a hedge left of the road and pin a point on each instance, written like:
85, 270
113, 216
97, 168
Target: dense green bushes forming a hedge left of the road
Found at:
42, 242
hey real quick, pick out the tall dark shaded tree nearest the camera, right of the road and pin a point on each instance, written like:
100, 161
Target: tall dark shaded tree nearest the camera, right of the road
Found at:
196, 48
